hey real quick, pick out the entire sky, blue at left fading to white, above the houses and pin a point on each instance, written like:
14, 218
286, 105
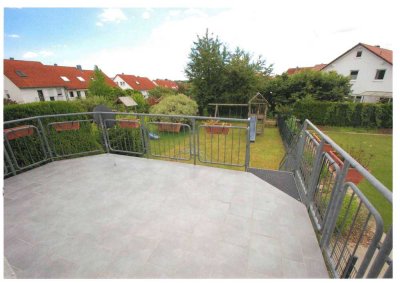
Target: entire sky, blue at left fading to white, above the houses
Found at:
155, 41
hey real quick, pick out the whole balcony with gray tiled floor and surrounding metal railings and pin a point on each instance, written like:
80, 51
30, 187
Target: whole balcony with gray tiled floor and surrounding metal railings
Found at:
80, 201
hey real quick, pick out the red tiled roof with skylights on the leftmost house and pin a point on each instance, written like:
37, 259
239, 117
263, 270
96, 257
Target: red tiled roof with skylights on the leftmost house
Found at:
39, 75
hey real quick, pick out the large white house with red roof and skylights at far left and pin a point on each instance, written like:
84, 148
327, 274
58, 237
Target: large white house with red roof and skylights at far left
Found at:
31, 81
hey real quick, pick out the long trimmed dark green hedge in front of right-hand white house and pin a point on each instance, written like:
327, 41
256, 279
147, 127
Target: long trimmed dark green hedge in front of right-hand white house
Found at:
349, 114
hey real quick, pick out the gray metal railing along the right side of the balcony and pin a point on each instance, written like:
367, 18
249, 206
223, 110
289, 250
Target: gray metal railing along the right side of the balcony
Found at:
349, 228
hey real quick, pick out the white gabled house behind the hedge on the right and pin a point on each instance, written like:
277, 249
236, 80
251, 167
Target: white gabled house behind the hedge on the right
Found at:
371, 71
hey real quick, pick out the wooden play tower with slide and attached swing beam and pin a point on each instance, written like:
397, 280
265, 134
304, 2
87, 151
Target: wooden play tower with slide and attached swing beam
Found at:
256, 108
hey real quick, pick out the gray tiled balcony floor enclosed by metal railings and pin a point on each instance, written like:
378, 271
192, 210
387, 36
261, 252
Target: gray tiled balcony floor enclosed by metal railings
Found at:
112, 216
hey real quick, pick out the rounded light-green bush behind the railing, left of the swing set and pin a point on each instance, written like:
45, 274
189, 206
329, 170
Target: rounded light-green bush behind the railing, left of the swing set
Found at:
175, 105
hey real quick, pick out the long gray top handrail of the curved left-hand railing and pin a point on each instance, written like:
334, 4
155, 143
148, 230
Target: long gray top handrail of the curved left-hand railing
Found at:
132, 114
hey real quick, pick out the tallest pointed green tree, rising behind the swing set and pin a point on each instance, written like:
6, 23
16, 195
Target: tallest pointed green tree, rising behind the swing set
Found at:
206, 69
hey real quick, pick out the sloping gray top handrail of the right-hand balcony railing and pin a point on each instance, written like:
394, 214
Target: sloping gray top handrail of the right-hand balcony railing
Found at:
354, 163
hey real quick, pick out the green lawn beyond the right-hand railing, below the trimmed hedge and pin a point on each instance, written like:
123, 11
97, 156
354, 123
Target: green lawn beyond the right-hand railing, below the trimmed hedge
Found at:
380, 165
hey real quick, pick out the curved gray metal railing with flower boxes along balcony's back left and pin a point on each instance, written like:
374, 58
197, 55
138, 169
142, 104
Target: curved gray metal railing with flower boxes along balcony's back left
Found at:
33, 141
